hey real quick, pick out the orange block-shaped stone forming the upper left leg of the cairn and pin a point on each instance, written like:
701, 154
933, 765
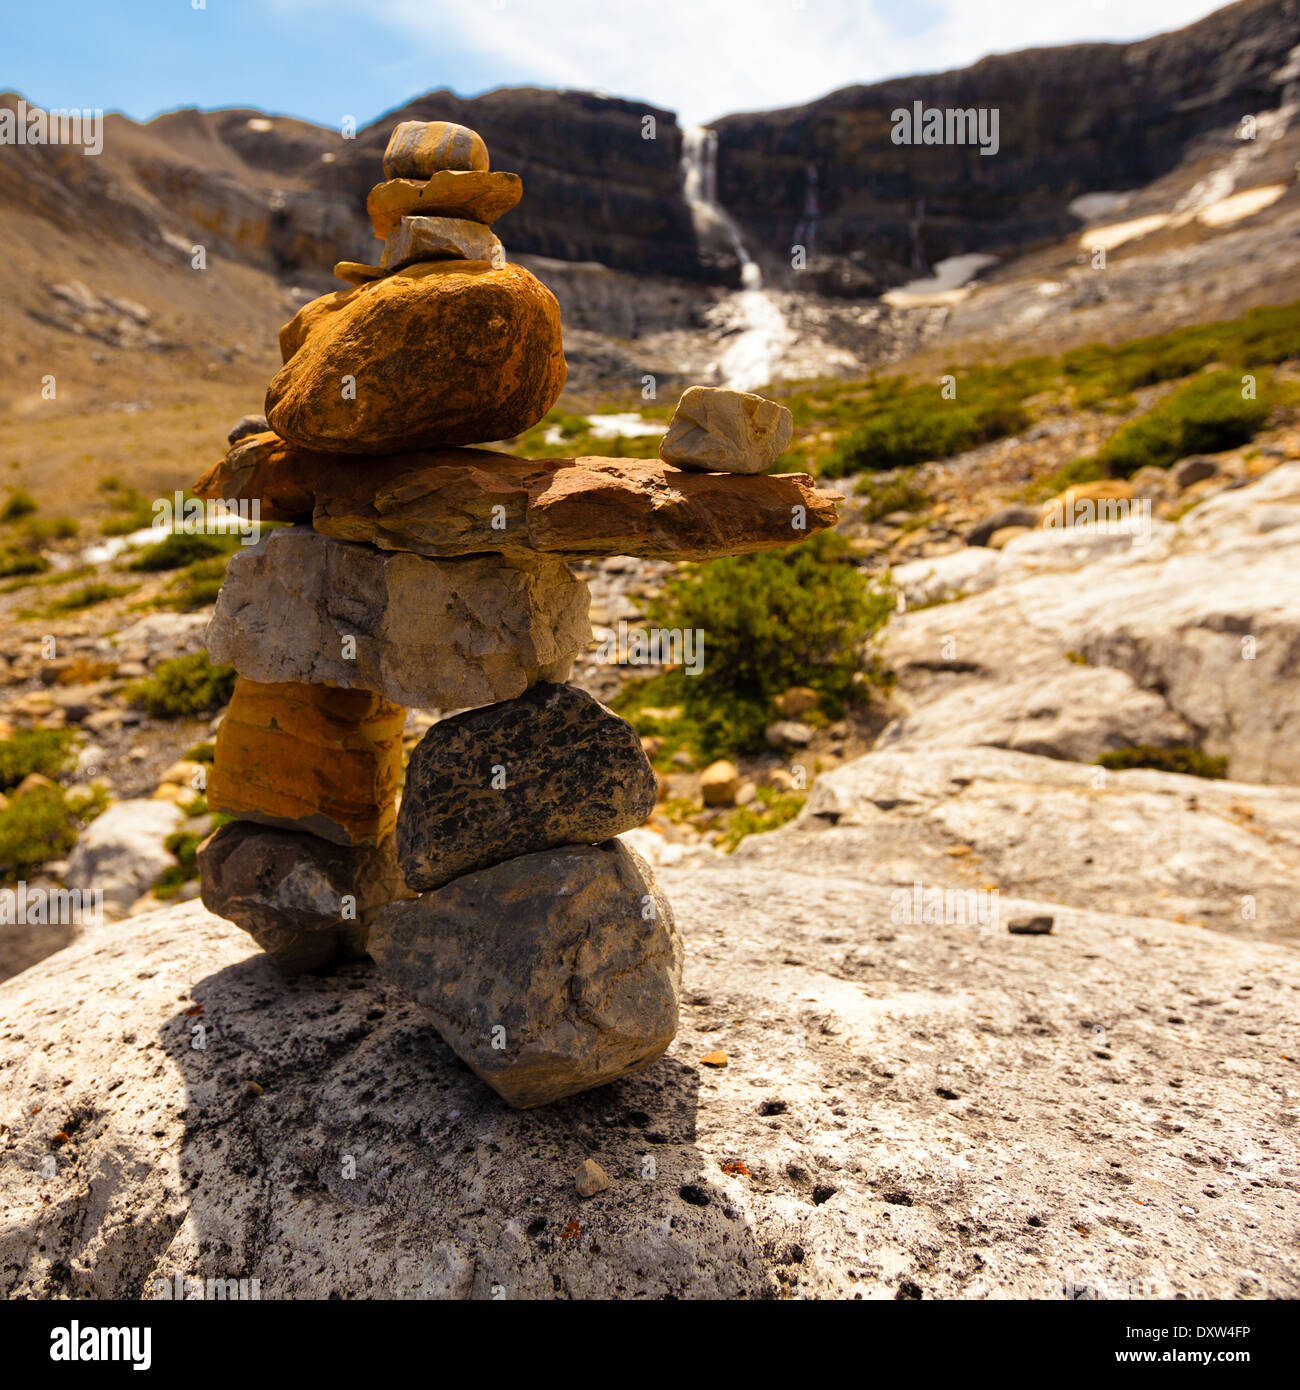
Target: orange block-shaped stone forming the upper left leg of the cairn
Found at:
311, 758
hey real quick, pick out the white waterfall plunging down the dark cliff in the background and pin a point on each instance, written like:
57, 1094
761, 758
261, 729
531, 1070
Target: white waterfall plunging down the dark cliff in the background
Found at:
754, 350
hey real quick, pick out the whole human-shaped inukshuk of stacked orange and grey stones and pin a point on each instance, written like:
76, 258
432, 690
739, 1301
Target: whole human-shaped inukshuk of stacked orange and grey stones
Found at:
422, 573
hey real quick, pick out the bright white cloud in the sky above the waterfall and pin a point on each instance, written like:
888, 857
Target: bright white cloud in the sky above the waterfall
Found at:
710, 58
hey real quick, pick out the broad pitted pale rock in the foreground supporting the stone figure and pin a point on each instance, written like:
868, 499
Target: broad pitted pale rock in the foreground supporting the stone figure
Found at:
936, 1111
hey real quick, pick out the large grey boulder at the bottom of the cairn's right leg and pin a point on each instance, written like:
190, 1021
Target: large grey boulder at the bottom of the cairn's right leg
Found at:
547, 975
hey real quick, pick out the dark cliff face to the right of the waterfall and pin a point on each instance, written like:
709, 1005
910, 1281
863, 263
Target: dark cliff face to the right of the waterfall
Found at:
1071, 120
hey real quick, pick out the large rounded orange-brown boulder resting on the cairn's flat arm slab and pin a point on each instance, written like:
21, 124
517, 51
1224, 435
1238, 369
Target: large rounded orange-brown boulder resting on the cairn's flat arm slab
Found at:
439, 354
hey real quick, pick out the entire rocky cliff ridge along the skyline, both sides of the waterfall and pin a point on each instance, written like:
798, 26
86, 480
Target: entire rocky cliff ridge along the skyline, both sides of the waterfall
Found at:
289, 197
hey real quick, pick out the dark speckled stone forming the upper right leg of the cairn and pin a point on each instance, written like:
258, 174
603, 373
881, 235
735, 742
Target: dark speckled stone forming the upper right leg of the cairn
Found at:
551, 768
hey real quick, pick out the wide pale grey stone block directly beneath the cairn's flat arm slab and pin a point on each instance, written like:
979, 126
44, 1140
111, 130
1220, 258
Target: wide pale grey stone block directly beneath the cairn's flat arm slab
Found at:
425, 633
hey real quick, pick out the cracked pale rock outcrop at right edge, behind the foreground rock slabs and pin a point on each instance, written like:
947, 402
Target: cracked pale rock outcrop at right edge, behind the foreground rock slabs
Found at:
1085, 640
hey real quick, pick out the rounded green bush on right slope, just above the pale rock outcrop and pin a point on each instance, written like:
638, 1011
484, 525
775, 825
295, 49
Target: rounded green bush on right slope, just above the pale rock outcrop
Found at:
1205, 416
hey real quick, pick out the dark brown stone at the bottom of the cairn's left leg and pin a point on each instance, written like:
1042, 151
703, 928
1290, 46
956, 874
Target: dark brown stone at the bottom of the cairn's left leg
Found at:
289, 889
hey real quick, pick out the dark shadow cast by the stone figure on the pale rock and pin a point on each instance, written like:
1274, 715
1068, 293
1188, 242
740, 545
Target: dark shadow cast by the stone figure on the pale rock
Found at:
334, 1147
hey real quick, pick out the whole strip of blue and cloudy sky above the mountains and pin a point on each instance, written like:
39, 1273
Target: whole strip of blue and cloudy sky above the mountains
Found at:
327, 59
